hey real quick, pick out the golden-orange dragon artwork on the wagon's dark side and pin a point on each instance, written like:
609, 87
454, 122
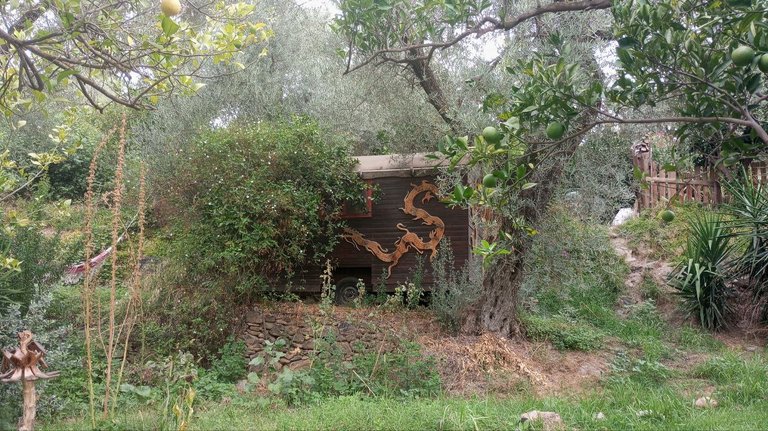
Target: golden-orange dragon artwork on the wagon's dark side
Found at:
409, 240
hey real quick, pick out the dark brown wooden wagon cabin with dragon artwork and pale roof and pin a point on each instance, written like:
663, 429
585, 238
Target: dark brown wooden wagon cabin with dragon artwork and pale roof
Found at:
403, 221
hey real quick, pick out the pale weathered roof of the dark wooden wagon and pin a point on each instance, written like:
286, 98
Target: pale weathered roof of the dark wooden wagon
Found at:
397, 165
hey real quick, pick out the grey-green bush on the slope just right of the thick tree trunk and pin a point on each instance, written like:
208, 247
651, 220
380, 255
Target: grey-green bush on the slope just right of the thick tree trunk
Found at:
573, 278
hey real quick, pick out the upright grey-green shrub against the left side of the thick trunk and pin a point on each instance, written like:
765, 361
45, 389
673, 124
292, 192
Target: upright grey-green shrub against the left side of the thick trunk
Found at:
453, 289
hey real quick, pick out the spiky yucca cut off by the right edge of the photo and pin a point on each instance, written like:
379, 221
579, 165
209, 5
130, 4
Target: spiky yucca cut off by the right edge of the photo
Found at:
749, 207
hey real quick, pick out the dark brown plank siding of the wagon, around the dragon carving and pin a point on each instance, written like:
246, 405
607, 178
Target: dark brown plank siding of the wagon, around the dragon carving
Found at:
382, 227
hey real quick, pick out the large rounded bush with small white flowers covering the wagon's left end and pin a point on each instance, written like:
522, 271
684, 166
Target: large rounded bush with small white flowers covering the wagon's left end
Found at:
258, 200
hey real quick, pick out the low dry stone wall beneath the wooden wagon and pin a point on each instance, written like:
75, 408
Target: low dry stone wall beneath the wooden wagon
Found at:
300, 325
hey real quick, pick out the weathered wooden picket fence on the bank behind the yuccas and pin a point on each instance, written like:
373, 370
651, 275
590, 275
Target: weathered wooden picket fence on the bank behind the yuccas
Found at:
702, 185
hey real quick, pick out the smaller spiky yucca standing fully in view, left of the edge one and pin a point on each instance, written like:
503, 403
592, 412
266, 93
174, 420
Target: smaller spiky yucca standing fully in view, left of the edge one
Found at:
701, 278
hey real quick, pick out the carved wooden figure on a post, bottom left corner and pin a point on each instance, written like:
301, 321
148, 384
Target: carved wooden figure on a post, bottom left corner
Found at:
23, 364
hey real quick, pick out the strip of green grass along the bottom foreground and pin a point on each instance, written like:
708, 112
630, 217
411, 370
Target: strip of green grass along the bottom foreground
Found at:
669, 409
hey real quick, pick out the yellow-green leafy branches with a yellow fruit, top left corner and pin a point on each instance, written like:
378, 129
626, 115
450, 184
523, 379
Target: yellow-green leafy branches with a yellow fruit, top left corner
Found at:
89, 48
